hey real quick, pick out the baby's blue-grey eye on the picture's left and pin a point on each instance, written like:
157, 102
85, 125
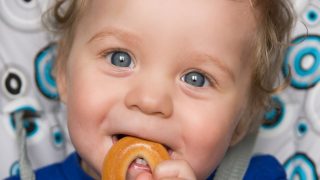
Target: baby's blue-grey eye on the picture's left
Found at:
121, 59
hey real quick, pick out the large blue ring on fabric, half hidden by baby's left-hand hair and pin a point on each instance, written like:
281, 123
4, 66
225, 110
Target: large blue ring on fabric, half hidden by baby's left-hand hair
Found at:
43, 72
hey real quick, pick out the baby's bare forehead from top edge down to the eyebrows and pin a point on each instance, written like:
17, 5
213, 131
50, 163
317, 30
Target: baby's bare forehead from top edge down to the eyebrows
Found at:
206, 17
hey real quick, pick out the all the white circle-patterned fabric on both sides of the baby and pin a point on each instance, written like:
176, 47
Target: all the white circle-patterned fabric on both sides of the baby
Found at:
27, 53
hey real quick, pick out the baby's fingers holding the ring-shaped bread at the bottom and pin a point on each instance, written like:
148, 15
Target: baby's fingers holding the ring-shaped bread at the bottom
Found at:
170, 170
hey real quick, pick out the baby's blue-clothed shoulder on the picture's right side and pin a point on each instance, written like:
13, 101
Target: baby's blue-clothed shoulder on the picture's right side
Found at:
265, 167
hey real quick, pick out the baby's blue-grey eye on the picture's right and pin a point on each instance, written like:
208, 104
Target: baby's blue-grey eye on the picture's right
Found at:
195, 78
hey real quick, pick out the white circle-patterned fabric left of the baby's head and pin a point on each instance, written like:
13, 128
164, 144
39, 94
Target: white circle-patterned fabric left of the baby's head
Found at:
26, 57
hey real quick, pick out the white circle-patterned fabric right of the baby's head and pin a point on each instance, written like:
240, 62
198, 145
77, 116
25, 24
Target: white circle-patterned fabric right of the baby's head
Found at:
292, 131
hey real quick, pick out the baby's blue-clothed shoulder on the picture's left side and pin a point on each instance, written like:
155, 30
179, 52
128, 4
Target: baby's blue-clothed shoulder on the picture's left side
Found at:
68, 169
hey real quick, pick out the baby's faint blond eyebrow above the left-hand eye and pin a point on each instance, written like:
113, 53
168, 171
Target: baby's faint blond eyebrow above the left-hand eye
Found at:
118, 33
